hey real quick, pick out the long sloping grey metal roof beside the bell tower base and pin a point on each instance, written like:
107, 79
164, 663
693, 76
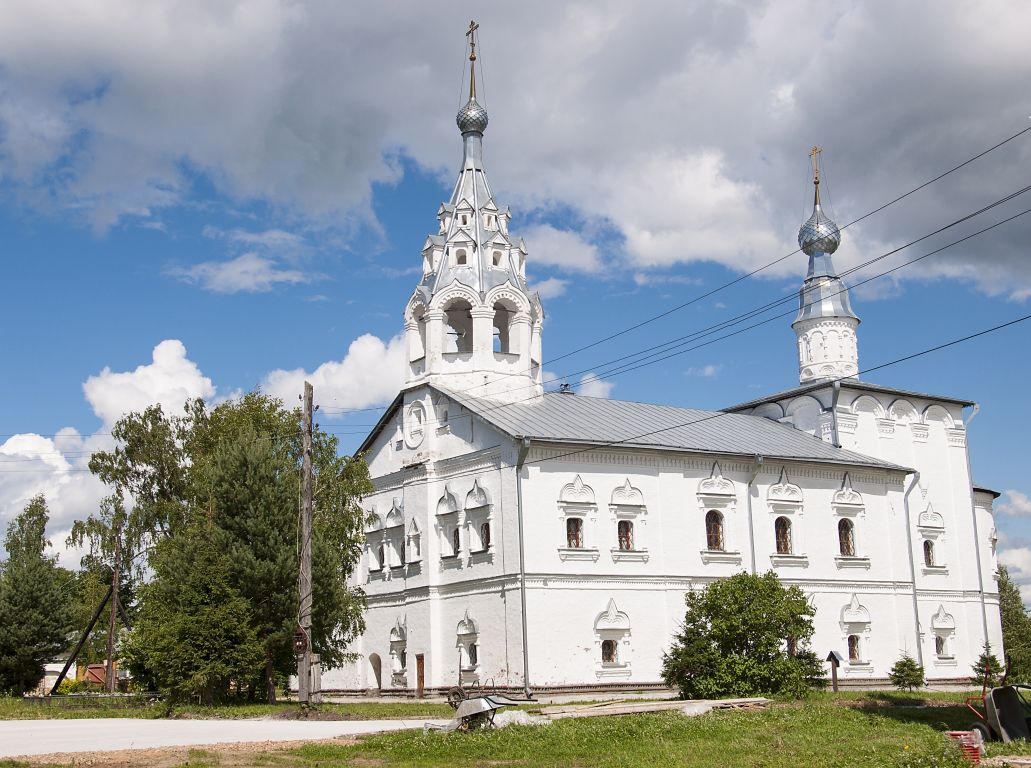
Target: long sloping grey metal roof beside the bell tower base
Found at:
576, 419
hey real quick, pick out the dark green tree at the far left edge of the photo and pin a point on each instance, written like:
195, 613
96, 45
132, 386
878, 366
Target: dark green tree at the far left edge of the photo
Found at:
36, 617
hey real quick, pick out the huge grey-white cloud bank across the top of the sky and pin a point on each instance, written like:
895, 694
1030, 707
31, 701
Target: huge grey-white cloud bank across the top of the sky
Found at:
705, 158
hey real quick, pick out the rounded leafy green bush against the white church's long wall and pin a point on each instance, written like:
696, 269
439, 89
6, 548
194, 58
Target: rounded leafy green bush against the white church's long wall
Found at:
747, 636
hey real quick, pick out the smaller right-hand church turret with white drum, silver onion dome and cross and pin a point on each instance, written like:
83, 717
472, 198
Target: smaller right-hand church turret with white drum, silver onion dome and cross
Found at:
825, 325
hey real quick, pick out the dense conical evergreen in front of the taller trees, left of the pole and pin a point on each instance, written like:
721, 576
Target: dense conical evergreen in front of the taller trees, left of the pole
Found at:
194, 632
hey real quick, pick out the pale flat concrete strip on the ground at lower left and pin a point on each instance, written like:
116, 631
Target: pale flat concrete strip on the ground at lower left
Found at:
24, 738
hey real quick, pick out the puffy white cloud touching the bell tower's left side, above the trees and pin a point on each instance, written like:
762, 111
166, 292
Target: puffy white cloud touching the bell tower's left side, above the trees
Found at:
371, 374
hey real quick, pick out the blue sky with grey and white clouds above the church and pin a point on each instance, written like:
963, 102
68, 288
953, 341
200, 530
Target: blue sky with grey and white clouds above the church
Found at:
198, 199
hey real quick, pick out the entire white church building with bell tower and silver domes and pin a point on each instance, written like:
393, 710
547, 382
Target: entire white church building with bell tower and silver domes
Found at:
546, 541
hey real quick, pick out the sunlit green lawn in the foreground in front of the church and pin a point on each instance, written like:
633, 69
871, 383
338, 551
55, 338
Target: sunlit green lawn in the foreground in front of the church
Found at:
815, 734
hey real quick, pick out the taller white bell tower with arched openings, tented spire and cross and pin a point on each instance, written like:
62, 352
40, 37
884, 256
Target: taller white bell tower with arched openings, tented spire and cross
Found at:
473, 323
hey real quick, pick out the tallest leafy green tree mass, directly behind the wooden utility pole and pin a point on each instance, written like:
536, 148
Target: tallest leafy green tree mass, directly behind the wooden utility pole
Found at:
239, 464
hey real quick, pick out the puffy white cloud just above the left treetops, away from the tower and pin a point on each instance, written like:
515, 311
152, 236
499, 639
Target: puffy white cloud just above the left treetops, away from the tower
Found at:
171, 380
